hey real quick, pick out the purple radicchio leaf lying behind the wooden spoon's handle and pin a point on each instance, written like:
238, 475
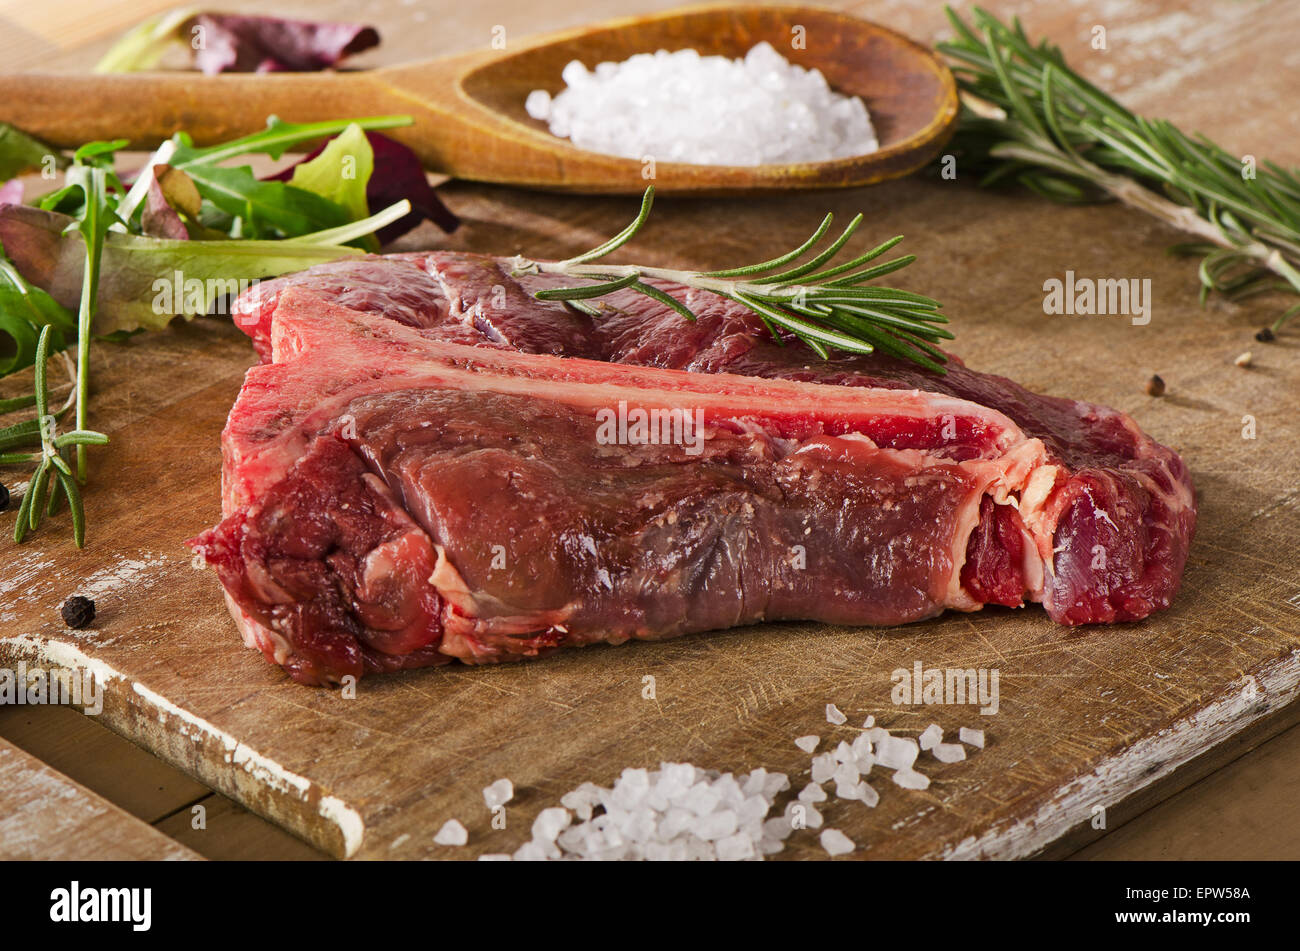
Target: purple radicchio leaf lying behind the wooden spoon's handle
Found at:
231, 44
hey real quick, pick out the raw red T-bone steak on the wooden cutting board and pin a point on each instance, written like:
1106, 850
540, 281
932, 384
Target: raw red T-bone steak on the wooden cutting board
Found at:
434, 466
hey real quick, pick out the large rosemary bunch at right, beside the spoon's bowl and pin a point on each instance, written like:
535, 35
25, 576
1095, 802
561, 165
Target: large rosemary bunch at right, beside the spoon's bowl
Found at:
1032, 119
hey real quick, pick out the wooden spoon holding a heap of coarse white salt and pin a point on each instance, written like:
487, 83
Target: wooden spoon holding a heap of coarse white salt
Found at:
470, 120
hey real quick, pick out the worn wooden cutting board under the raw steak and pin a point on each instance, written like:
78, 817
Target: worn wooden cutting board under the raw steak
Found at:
1089, 719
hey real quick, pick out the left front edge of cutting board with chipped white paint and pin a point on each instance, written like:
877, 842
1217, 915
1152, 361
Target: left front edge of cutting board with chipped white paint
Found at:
194, 745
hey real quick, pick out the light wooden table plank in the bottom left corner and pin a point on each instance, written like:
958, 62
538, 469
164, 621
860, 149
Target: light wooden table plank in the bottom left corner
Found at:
50, 818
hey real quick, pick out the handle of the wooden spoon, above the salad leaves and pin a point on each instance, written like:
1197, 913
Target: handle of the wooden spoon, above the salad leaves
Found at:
146, 108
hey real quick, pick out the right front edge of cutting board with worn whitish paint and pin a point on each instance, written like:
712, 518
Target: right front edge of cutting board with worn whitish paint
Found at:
1253, 698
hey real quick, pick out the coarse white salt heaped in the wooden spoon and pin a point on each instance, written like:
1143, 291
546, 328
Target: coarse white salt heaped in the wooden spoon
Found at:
683, 107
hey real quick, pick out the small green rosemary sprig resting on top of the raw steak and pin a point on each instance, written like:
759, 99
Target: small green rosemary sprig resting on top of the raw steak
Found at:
824, 306
